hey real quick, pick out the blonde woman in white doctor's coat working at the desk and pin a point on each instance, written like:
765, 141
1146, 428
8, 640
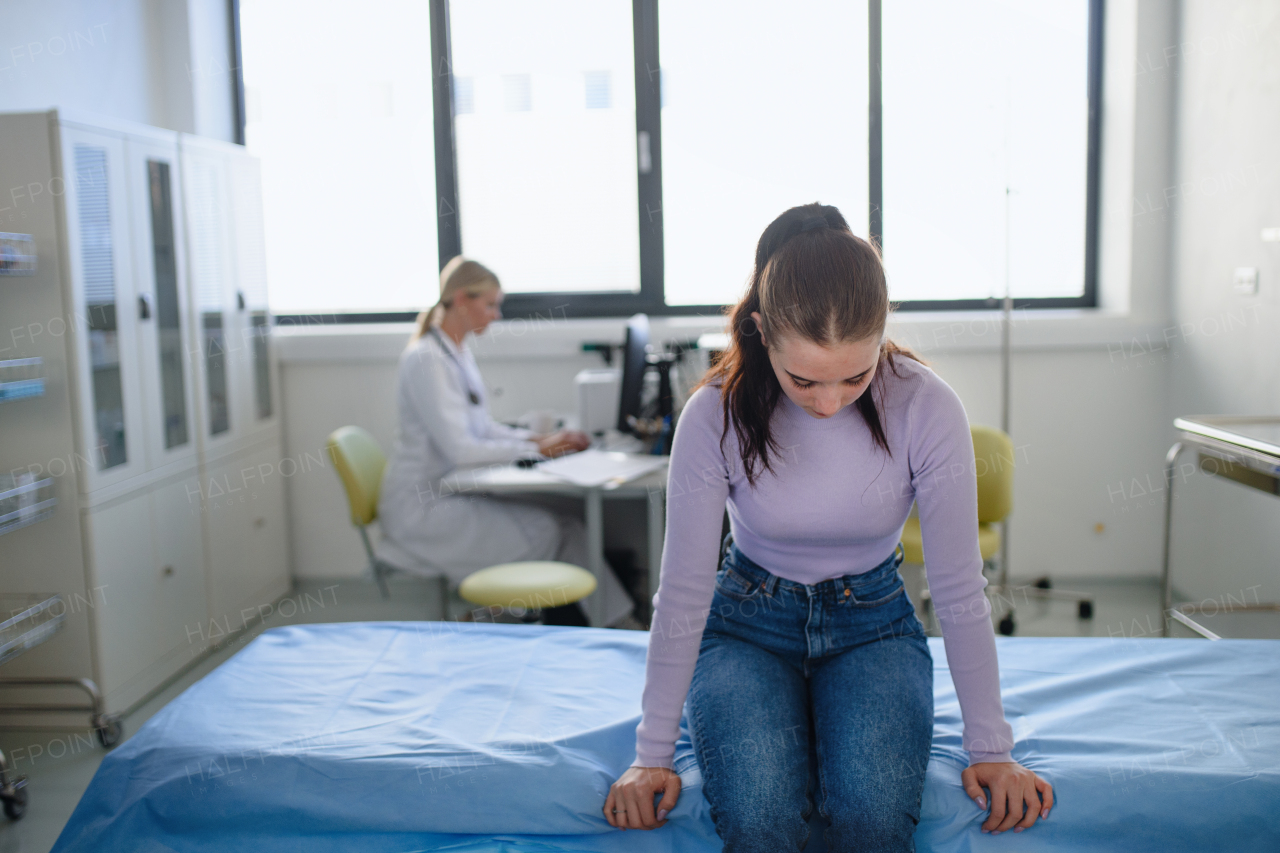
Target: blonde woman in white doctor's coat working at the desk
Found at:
445, 425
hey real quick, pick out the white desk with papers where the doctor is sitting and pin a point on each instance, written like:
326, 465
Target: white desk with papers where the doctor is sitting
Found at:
510, 480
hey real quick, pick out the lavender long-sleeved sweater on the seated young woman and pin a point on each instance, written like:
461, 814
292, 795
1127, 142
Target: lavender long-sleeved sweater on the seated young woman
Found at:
834, 505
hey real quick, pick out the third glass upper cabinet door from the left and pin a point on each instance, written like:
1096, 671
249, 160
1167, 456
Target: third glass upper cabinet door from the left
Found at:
213, 271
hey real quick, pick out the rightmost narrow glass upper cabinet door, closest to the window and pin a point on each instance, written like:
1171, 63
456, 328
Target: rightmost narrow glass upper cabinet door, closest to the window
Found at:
255, 322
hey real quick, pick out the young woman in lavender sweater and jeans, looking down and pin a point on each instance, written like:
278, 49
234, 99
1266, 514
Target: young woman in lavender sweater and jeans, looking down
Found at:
797, 646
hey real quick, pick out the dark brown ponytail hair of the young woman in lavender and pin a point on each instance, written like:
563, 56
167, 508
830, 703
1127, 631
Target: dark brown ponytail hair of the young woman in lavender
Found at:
817, 280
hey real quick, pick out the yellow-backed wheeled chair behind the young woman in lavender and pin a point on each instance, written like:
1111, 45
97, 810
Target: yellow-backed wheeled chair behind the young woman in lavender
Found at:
994, 460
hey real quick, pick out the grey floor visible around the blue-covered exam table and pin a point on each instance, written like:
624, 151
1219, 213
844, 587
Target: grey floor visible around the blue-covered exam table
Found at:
62, 764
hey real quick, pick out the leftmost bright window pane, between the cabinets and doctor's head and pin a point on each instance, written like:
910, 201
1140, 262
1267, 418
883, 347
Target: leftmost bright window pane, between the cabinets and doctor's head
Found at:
340, 112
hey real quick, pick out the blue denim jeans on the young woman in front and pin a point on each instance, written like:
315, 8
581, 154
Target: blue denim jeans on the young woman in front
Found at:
806, 694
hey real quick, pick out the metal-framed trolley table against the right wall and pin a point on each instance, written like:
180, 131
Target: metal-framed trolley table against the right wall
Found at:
1245, 450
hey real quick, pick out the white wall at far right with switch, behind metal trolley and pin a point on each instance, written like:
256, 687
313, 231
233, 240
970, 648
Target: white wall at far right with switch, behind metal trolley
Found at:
1228, 189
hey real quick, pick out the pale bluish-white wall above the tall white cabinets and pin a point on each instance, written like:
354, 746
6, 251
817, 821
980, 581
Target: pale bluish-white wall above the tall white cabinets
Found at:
166, 63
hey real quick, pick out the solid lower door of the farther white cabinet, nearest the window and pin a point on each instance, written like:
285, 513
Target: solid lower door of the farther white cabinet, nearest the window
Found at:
245, 528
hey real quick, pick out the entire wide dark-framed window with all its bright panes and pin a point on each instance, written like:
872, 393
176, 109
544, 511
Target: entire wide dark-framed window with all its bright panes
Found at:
606, 157
